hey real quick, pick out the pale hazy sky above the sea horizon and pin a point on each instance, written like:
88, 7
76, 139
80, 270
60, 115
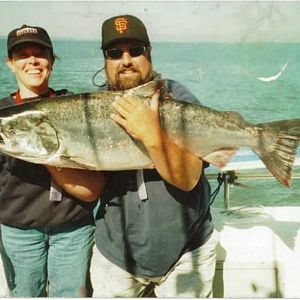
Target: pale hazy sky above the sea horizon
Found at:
170, 21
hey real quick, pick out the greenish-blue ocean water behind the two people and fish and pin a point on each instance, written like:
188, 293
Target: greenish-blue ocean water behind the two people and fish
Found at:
222, 76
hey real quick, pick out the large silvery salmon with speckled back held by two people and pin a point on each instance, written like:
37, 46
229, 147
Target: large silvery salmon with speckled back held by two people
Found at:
76, 131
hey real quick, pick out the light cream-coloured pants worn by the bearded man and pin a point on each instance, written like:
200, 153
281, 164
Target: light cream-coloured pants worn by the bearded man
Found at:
191, 277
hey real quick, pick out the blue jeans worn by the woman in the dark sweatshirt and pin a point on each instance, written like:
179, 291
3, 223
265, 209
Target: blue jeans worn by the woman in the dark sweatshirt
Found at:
48, 262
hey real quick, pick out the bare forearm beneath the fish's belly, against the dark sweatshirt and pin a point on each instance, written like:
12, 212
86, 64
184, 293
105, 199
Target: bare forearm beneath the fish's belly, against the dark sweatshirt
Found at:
85, 185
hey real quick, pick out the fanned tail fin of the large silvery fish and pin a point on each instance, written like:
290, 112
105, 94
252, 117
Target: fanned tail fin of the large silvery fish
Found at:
280, 159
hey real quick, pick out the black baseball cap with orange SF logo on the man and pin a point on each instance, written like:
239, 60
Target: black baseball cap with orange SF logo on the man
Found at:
123, 27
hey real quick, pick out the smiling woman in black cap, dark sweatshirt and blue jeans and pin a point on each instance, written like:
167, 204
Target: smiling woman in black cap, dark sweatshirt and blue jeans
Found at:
46, 213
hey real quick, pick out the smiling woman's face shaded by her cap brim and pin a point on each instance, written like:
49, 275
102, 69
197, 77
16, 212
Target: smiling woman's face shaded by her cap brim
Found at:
32, 66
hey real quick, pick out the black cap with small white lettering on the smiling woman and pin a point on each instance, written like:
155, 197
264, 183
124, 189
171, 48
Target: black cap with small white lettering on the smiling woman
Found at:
28, 34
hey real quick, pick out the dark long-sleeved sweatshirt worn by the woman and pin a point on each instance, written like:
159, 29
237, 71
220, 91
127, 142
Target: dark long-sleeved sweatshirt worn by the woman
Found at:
25, 190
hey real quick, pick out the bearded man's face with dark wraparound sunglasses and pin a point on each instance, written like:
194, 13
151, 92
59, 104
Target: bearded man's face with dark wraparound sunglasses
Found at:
129, 67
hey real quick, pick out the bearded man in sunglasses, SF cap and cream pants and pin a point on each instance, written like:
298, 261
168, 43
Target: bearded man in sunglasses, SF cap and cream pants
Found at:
154, 230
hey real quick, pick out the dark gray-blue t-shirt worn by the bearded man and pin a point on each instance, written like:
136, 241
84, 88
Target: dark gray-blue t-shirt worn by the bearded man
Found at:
147, 236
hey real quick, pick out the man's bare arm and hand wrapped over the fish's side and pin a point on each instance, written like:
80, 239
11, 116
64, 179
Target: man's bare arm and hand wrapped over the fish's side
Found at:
176, 165
